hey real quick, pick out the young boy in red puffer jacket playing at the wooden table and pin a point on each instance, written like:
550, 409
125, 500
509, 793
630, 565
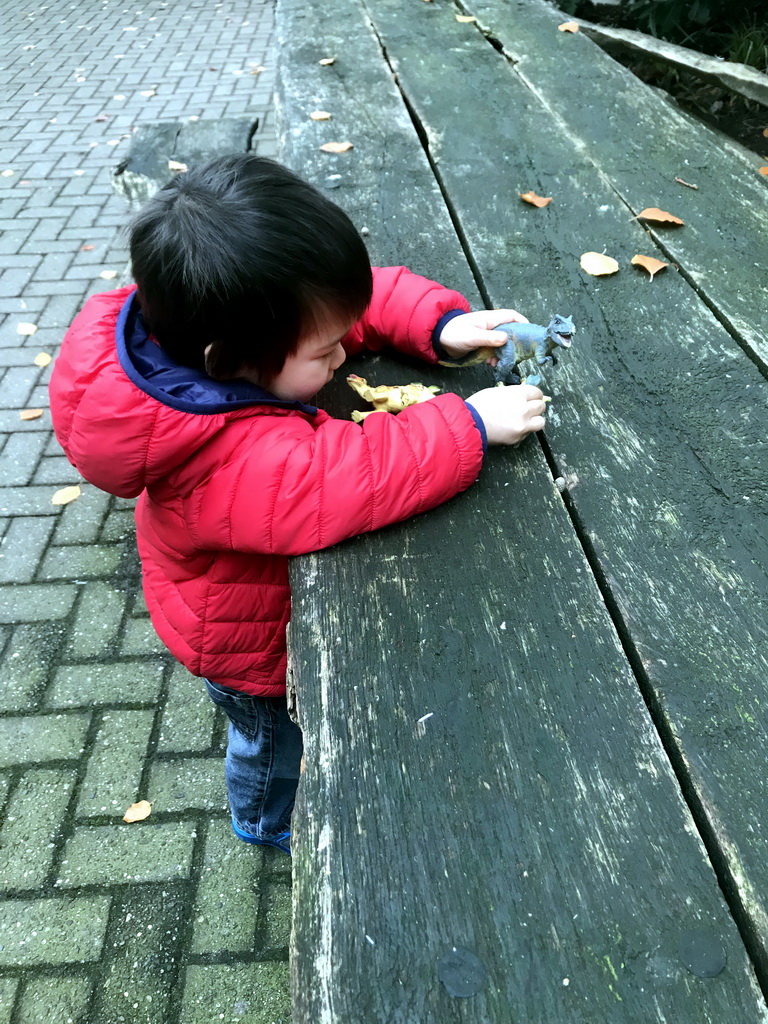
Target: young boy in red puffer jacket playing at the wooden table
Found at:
194, 393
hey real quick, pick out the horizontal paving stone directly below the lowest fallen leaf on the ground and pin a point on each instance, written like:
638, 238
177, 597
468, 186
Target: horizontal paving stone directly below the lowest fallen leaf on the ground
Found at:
139, 852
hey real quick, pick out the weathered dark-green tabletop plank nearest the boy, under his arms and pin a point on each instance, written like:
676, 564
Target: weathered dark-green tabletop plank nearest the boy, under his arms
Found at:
531, 817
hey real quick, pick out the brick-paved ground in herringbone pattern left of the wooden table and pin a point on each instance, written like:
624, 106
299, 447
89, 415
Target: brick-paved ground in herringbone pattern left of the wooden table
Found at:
170, 921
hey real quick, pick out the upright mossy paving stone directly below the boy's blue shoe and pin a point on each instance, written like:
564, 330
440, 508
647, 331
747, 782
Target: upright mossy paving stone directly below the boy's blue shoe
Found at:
226, 912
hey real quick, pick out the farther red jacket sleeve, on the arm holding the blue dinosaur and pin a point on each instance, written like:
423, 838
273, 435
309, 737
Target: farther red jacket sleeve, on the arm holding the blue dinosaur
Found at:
404, 312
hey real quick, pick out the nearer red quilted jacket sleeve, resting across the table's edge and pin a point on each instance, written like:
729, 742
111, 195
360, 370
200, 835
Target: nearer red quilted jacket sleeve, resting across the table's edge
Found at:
305, 486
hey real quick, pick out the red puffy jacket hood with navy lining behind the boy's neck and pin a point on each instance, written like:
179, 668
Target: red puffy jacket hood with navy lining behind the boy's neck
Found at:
126, 414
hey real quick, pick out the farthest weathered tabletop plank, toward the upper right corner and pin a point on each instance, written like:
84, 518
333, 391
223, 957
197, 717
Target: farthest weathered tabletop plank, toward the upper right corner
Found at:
642, 142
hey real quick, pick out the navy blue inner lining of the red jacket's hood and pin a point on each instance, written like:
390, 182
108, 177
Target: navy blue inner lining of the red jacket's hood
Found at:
190, 391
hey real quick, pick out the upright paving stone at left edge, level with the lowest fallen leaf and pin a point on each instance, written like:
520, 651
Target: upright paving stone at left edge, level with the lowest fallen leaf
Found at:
33, 818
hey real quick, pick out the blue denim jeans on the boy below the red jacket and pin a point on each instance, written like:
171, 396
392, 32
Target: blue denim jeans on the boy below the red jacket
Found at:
264, 760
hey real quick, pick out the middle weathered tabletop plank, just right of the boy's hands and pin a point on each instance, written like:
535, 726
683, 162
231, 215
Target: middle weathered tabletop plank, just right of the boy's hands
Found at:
660, 424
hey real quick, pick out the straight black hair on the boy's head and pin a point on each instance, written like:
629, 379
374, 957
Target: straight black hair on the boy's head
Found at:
242, 255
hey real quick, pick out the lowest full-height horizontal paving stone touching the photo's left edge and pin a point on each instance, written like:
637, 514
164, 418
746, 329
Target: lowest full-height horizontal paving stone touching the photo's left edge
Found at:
53, 931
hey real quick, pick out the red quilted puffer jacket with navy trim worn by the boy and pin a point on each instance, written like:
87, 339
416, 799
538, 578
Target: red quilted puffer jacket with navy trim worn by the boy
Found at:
231, 481
